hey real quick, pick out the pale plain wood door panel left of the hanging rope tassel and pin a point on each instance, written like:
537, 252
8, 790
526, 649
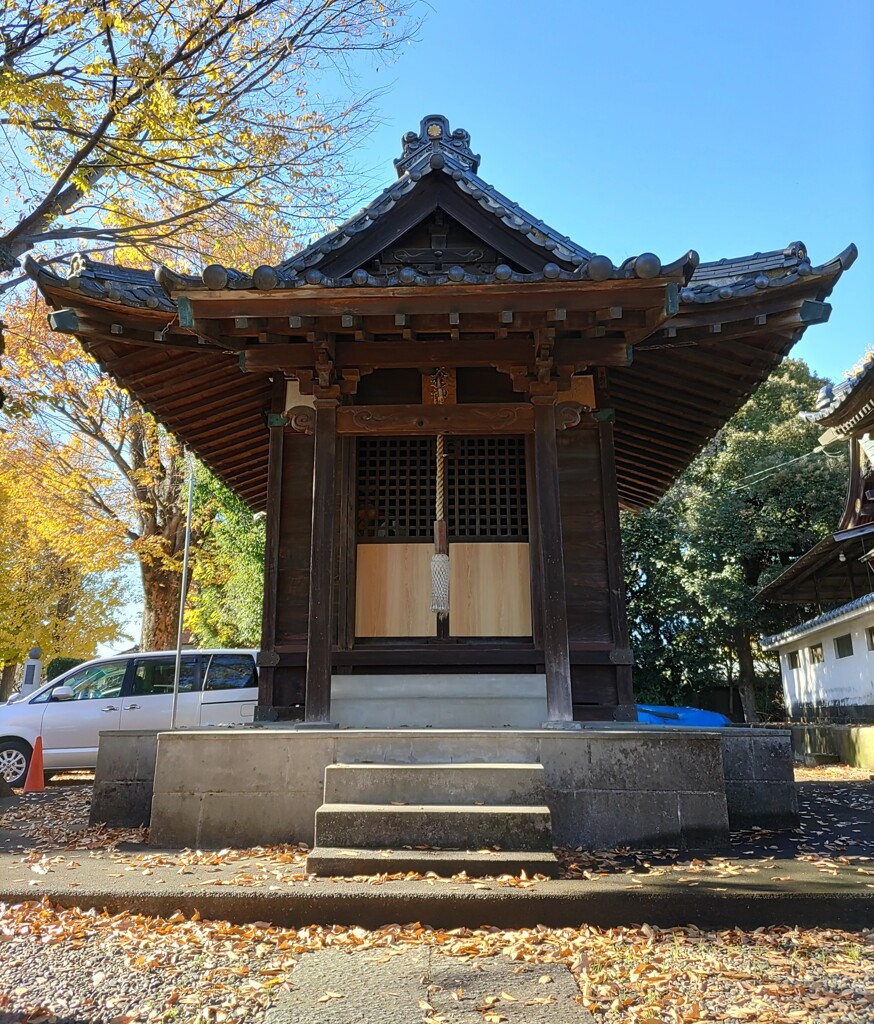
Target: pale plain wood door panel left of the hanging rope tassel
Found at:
394, 591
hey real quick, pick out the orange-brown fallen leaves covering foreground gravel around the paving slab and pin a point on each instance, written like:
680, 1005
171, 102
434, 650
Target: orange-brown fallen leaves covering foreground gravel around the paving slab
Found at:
626, 975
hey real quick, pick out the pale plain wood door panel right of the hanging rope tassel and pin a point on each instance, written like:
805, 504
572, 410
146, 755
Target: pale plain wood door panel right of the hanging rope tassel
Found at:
490, 590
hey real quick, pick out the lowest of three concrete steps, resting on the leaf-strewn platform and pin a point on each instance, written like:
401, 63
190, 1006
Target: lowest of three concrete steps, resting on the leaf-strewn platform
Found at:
345, 863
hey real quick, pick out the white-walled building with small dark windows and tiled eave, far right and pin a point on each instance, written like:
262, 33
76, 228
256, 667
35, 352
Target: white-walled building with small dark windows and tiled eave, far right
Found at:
827, 664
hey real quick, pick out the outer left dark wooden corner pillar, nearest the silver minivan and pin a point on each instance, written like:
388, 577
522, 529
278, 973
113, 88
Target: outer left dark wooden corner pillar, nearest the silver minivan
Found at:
268, 659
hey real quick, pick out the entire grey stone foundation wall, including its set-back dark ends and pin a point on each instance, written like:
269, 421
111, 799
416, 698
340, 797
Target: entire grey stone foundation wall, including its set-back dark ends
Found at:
610, 786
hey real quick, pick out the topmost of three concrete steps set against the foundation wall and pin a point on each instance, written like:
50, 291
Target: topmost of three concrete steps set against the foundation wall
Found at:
435, 784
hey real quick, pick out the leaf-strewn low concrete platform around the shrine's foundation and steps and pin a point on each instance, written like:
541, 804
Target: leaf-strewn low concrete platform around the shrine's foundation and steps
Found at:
762, 879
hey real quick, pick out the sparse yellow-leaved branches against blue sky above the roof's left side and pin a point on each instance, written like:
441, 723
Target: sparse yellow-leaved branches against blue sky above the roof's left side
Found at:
165, 127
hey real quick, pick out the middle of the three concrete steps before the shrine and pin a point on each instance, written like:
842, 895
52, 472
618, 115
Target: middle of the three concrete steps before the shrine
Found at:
457, 827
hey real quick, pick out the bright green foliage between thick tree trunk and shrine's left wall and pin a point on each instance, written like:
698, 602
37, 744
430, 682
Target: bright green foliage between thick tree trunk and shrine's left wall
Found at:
225, 603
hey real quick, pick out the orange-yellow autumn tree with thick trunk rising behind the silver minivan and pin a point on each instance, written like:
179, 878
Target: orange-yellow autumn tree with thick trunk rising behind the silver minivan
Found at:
94, 450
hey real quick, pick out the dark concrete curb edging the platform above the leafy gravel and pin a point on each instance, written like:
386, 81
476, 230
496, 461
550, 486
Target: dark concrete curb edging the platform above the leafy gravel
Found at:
606, 903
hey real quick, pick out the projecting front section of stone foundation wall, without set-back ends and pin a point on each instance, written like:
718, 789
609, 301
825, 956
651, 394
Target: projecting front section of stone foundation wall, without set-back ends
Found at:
606, 789
